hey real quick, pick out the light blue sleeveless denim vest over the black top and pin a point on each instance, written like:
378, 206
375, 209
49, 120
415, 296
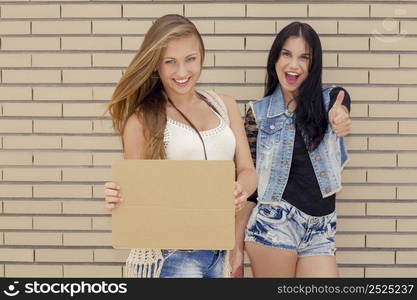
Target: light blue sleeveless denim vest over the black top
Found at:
275, 144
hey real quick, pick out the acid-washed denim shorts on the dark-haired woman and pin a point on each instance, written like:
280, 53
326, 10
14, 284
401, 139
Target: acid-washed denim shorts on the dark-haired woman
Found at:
283, 226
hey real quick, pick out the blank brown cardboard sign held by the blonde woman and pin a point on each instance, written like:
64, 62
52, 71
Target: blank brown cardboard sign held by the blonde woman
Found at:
173, 204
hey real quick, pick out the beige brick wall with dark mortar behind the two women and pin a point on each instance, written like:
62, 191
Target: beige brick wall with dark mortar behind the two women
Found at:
59, 63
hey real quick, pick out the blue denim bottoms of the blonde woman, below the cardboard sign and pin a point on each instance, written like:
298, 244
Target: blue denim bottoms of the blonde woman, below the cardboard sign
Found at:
192, 264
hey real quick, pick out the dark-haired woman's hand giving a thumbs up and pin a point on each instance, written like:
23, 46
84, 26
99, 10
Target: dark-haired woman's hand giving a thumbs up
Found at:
339, 116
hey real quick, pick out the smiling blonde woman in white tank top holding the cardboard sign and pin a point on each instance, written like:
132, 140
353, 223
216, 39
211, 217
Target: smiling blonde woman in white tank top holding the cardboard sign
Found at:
160, 115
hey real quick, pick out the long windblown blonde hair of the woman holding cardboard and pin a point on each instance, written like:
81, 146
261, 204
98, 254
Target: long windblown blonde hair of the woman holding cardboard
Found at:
140, 90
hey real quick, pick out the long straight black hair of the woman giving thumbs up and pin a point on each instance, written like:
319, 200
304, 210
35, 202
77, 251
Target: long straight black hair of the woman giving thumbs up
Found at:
310, 115
